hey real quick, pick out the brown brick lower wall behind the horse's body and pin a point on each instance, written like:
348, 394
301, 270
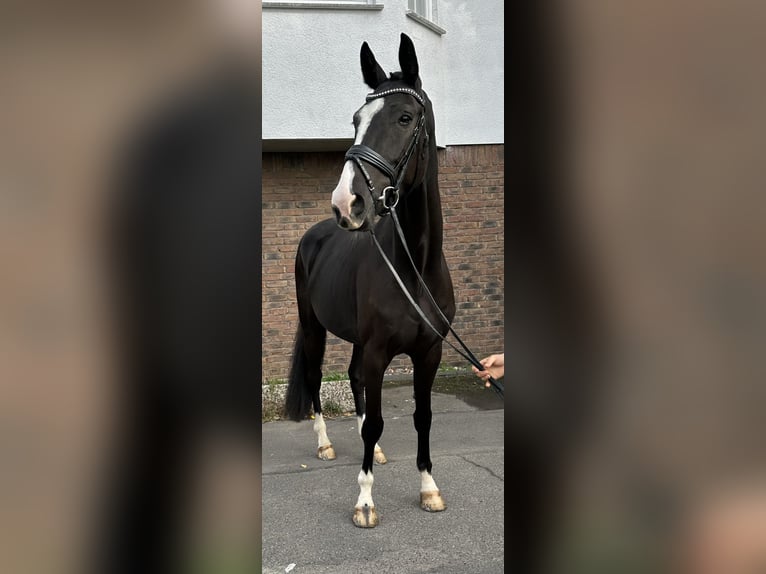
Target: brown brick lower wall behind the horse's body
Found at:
296, 194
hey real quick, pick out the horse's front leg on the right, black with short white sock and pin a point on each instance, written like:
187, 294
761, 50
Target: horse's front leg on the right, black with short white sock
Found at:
424, 372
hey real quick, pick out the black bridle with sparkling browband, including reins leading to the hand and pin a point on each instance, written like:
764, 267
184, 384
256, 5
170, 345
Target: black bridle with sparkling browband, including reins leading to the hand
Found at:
386, 204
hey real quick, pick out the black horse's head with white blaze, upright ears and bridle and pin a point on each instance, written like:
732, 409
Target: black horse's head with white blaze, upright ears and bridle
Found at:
391, 138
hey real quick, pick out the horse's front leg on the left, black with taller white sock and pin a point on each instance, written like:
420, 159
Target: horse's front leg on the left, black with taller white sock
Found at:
365, 515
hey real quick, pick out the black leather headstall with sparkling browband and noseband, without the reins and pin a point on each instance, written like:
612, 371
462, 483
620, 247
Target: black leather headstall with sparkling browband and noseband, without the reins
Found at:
395, 173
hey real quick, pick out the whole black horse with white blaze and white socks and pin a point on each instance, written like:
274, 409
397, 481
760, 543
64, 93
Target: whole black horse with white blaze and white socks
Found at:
344, 286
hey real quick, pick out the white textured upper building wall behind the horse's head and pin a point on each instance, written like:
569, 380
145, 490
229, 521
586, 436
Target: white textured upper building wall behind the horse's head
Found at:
312, 81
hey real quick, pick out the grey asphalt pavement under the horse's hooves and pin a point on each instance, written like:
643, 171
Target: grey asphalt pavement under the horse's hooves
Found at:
307, 503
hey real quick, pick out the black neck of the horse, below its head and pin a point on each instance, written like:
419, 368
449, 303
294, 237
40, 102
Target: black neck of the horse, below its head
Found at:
421, 221
